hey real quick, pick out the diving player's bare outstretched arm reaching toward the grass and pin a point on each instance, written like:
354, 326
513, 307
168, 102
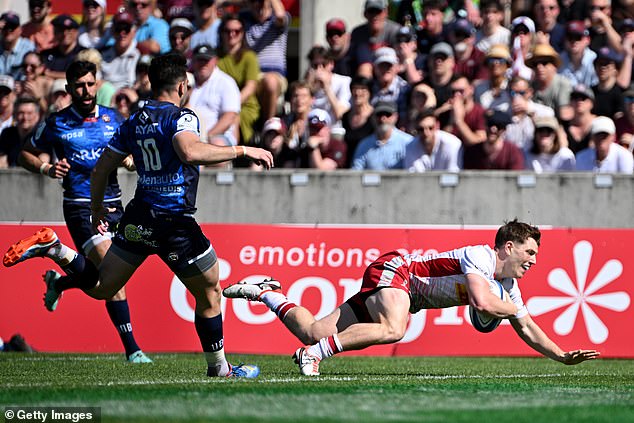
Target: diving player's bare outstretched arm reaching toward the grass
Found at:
534, 336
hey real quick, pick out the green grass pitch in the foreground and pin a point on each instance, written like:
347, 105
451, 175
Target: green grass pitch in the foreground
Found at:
351, 389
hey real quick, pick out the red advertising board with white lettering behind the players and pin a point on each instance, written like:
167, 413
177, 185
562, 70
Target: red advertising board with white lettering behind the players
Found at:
579, 292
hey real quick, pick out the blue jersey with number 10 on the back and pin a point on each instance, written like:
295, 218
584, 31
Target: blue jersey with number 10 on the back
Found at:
165, 182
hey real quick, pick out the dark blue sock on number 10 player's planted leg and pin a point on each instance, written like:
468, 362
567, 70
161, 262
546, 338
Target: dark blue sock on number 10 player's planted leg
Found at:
209, 331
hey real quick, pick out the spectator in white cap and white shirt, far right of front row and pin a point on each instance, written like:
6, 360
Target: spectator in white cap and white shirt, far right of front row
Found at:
605, 155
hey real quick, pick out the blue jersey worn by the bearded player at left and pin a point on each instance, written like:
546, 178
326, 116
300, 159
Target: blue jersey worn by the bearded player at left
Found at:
81, 141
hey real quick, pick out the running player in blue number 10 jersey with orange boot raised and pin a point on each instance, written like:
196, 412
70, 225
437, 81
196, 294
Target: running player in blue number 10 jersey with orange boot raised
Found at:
164, 140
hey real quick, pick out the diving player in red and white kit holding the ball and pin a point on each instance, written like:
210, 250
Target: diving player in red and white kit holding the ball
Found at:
395, 285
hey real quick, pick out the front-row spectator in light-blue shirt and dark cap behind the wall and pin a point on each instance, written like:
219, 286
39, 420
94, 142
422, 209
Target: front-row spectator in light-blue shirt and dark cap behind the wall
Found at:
385, 148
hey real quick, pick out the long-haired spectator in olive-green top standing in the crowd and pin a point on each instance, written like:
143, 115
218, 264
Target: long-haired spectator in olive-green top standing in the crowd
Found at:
238, 61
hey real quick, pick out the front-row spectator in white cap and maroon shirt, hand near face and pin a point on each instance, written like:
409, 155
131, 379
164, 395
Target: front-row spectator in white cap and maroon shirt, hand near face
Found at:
322, 151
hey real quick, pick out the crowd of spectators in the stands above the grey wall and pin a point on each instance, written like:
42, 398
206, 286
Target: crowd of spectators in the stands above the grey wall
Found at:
539, 85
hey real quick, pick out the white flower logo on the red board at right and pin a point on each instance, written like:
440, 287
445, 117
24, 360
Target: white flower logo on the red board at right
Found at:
580, 296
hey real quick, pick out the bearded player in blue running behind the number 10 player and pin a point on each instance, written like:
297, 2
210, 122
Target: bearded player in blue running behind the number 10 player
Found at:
78, 135
